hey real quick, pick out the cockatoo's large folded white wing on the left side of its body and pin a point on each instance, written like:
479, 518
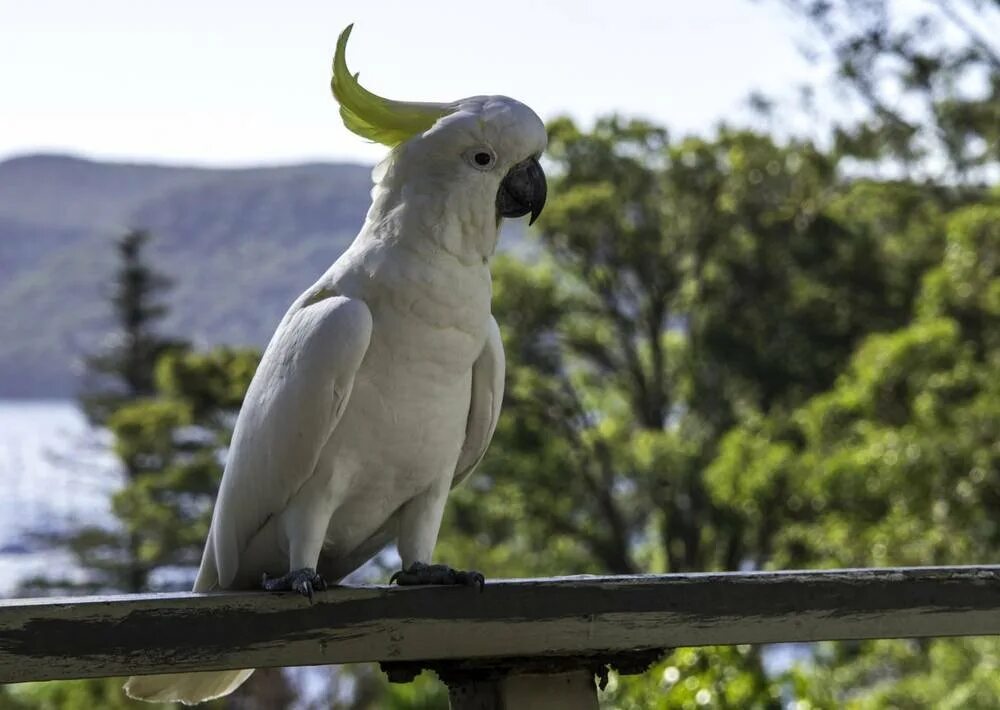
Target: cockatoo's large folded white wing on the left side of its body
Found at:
293, 404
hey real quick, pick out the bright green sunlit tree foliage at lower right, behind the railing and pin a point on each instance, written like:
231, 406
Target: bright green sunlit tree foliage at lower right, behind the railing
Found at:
896, 465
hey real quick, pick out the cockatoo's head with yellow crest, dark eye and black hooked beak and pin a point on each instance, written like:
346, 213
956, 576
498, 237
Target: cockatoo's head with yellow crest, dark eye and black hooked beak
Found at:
482, 149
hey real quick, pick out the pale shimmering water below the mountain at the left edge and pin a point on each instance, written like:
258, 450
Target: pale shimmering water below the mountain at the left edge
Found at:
56, 475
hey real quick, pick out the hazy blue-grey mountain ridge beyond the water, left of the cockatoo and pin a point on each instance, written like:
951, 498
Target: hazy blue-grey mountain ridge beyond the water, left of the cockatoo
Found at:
239, 244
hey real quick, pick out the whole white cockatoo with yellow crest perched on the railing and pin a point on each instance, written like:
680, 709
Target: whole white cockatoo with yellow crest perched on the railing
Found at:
381, 388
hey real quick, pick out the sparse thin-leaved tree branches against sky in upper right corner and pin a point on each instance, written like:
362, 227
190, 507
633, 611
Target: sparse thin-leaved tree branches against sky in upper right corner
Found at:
926, 79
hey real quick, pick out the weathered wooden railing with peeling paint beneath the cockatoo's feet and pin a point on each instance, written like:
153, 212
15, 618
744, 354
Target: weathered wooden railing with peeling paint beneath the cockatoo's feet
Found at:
591, 617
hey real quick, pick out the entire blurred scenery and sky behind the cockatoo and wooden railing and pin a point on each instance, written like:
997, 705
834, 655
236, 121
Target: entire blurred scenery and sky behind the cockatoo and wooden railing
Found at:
757, 326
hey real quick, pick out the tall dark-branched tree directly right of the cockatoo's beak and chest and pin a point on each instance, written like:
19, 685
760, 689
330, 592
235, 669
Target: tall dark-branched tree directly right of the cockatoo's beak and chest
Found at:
689, 284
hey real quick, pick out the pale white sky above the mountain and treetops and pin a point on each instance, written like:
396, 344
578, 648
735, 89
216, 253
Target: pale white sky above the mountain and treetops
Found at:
226, 82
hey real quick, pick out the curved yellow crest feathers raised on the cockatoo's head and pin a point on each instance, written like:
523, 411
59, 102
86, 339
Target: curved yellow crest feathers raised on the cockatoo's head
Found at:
370, 116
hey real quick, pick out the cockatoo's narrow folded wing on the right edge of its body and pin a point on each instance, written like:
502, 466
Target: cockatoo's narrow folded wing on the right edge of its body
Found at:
484, 408
